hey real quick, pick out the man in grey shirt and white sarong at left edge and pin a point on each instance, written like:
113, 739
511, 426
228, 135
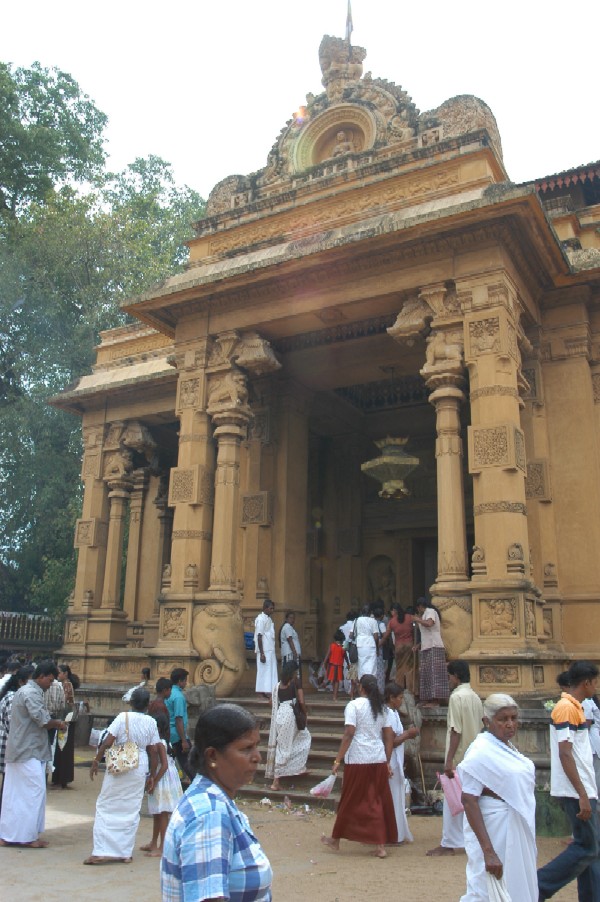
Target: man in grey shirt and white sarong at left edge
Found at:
27, 751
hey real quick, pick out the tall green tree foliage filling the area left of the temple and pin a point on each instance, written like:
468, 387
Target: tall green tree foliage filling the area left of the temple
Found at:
68, 257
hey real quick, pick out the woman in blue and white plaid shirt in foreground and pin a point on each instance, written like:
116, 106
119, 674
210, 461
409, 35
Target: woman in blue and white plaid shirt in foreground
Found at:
210, 852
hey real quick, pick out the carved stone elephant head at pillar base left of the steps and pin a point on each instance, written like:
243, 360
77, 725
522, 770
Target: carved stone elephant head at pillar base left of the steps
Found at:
218, 637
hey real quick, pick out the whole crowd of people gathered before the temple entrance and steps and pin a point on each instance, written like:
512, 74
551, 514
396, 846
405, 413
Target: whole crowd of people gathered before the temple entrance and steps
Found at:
206, 845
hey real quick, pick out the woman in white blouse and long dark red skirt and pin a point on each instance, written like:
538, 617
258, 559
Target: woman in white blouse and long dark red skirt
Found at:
365, 812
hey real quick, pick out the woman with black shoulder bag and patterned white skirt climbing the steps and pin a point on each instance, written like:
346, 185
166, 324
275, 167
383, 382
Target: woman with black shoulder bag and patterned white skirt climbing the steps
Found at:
288, 746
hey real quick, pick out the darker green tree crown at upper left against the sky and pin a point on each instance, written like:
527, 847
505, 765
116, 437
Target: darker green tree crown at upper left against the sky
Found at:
50, 133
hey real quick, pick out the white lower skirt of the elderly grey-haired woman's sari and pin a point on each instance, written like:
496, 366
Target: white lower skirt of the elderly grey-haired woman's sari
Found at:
514, 846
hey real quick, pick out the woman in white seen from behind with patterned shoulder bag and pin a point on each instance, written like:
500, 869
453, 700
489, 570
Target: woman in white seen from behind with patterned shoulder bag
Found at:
118, 805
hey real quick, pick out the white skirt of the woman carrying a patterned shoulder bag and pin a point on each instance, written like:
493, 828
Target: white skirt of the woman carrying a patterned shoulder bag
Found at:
118, 813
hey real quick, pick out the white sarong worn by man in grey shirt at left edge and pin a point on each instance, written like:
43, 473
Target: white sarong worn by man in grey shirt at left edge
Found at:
23, 801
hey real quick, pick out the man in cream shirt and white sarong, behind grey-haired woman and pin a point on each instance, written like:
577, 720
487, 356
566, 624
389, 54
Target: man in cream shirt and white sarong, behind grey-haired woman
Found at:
464, 723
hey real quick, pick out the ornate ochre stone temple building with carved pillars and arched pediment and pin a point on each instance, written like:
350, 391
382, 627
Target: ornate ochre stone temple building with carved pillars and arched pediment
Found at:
377, 378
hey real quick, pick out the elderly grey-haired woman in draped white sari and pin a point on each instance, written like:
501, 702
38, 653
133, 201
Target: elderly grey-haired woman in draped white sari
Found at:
498, 784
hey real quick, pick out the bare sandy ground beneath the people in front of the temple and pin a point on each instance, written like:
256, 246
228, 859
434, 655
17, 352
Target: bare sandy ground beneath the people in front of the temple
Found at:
302, 866
